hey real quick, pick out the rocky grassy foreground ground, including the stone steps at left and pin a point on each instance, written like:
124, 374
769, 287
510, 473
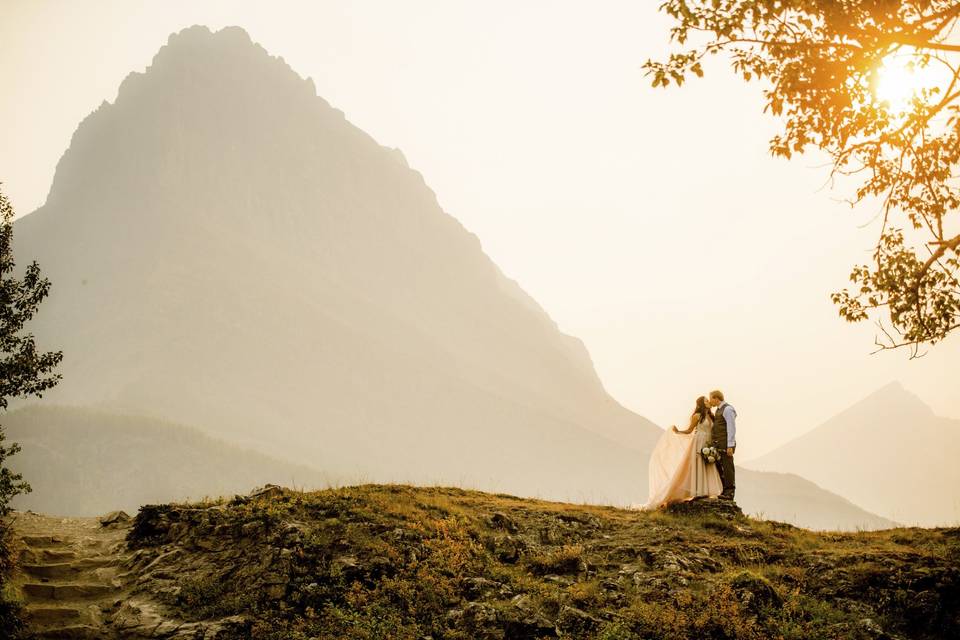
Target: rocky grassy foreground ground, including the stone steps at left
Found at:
403, 562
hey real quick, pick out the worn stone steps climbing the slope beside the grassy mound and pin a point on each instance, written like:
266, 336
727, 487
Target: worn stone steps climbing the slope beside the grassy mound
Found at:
68, 575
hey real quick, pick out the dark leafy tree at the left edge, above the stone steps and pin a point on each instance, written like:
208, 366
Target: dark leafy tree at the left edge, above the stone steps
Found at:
23, 371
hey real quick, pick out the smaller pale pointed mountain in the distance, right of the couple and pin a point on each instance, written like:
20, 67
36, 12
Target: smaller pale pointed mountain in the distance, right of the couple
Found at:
888, 453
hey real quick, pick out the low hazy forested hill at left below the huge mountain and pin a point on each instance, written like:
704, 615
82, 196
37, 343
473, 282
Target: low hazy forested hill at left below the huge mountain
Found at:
89, 462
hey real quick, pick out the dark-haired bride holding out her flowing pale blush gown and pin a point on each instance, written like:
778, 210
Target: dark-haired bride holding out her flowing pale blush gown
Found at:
677, 470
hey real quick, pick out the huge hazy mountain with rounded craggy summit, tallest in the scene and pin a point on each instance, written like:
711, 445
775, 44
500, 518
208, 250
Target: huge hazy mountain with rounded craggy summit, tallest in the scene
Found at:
228, 251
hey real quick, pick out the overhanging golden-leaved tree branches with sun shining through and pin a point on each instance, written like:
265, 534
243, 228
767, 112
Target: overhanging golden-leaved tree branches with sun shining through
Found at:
825, 63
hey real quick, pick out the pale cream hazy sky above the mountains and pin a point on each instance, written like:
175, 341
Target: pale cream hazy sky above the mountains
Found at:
653, 224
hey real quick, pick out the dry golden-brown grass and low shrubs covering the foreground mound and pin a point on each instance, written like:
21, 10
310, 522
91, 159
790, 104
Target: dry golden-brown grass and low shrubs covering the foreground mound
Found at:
448, 563
